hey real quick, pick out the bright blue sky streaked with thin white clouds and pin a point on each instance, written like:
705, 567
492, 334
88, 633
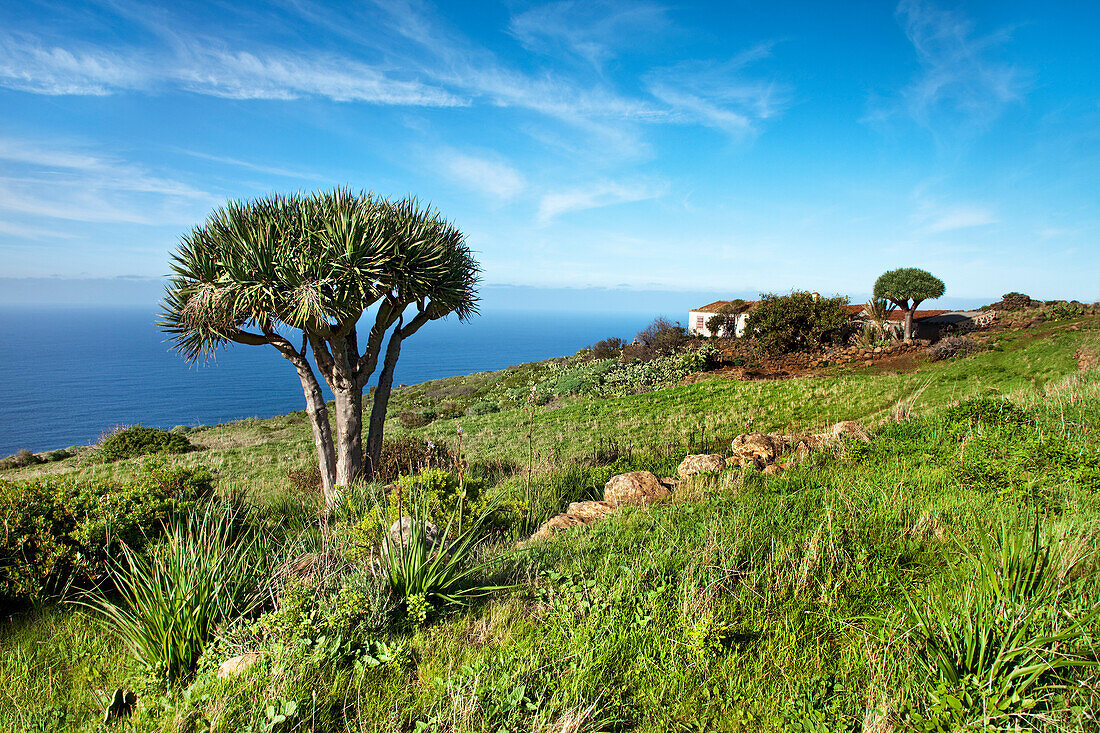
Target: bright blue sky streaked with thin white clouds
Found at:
721, 148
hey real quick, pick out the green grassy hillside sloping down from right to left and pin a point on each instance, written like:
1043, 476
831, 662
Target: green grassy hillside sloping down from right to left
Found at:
817, 600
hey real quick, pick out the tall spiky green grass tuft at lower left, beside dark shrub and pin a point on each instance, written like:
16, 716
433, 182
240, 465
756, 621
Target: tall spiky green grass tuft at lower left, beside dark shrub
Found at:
167, 604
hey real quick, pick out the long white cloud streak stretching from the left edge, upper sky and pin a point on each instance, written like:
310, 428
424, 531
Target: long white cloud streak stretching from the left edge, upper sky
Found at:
200, 67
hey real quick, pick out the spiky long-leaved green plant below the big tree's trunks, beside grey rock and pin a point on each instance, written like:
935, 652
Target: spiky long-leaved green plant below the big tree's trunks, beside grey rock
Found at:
430, 577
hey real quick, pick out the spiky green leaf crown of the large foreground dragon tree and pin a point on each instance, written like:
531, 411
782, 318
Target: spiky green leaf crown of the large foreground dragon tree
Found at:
314, 262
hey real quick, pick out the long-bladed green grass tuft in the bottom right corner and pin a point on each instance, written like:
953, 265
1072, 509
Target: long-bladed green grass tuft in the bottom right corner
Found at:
994, 647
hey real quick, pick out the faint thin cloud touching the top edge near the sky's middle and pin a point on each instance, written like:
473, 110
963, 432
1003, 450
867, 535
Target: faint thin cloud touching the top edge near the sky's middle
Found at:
595, 31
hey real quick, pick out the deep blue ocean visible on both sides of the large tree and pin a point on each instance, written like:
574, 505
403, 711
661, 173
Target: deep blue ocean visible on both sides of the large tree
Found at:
69, 375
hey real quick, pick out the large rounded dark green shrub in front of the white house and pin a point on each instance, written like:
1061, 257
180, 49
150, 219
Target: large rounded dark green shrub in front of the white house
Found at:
799, 322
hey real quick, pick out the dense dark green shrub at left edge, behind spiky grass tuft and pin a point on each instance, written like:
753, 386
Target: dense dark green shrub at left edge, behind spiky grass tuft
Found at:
59, 530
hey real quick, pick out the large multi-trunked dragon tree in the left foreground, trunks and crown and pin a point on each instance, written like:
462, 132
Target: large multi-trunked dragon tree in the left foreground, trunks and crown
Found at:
258, 271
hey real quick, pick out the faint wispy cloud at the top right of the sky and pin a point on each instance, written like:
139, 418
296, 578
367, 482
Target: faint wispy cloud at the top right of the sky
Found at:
961, 76
